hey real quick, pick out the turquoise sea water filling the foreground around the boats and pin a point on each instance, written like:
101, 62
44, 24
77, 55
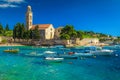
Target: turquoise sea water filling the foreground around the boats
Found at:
19, 67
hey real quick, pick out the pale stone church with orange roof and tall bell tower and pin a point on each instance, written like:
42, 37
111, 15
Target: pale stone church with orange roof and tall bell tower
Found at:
46, 30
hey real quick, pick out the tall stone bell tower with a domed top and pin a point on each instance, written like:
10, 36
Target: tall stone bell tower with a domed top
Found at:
29, 18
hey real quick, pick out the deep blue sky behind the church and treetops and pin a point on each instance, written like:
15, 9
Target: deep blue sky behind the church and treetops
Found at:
101, 16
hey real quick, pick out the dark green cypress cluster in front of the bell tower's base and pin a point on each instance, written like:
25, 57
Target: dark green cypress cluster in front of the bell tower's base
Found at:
20, 32
